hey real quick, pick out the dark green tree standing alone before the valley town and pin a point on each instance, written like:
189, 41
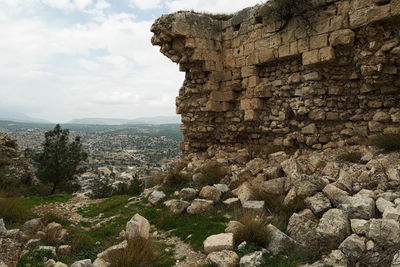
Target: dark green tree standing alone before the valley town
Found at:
60, 160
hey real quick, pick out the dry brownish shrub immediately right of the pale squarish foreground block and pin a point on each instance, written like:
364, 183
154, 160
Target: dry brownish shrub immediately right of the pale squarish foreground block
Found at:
254, 228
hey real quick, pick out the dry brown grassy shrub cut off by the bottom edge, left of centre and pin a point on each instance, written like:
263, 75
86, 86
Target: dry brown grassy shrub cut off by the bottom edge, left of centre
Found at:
140, 252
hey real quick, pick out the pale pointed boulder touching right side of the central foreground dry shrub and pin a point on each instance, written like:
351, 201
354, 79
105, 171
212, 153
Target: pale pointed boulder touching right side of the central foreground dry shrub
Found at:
278, 241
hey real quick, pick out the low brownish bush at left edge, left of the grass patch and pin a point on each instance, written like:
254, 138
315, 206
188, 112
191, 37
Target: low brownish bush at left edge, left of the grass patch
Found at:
13, 212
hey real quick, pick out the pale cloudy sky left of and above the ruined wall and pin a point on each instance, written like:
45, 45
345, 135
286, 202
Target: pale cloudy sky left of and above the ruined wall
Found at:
66, 59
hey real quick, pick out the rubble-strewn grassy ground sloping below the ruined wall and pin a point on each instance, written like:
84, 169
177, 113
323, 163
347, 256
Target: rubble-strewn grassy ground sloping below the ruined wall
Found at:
341, 204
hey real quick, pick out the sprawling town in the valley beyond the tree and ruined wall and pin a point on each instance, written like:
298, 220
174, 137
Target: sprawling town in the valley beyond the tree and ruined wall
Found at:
118, 153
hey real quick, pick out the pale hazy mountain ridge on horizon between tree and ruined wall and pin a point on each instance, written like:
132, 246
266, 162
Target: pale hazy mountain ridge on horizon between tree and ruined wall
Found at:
145, 120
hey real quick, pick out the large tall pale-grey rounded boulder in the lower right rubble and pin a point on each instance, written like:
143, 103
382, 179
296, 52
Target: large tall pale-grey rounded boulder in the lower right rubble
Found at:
333, 228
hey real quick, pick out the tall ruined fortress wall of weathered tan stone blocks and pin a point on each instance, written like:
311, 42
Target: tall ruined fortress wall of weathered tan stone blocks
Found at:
331, 77
